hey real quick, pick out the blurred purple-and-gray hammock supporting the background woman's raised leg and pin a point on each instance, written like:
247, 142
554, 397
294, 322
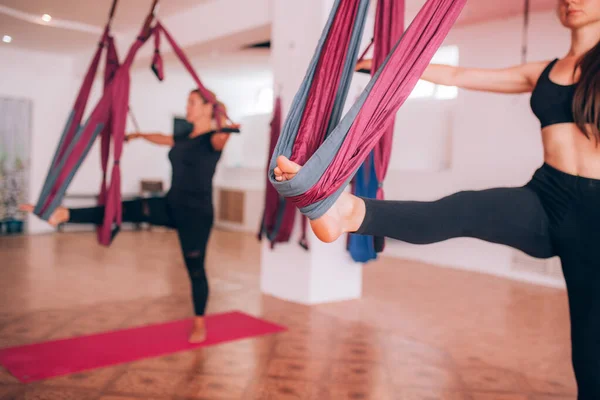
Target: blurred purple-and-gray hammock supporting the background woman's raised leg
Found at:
108, 118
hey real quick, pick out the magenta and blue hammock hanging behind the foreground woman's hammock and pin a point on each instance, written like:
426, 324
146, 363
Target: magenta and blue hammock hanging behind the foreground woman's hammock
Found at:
368, 182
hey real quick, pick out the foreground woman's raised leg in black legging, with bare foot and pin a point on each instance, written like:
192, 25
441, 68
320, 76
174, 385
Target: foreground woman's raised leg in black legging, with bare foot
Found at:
511, 216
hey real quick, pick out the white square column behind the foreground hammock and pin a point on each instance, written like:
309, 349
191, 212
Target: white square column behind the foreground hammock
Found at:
326, 272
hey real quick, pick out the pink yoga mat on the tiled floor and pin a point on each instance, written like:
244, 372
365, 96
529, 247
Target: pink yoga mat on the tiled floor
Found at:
66, 356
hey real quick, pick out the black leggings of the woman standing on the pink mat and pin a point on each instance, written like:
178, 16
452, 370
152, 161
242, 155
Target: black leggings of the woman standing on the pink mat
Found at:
193, 225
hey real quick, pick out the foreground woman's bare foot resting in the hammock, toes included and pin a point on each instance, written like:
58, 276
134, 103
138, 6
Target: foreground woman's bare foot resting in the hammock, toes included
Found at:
346, 215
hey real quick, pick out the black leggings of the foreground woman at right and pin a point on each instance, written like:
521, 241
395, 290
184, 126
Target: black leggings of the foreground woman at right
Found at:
555, 214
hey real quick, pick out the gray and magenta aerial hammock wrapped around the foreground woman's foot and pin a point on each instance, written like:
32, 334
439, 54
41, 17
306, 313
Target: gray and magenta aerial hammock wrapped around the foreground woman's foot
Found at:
331, 148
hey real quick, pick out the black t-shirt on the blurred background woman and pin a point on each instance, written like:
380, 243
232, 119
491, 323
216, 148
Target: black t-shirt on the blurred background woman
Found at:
193, 164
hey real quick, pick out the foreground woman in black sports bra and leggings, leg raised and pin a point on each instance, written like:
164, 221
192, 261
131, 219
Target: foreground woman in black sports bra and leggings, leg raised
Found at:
556, 214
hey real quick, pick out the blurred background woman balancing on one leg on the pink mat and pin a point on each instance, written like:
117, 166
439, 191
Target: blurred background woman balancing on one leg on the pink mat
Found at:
187, 207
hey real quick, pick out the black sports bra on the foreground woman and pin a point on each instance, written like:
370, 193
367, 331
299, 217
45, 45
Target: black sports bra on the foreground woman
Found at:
551, 102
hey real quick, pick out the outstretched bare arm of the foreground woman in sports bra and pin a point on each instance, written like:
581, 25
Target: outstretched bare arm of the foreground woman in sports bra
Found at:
517, 79
